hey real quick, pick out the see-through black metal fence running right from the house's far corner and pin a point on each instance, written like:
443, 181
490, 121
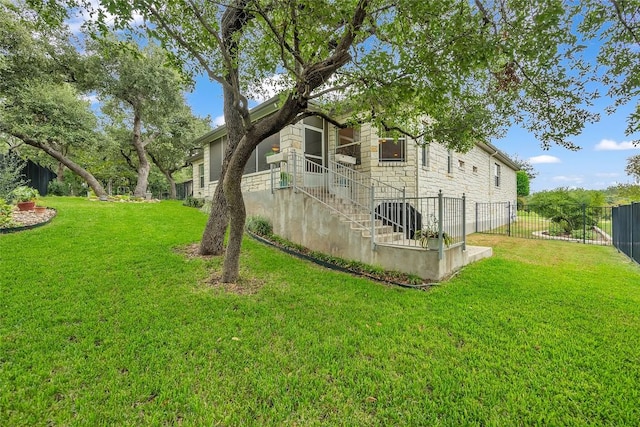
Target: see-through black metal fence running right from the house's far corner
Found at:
568, 222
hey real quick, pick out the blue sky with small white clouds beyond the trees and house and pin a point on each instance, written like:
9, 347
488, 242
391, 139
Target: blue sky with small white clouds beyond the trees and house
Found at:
599, 164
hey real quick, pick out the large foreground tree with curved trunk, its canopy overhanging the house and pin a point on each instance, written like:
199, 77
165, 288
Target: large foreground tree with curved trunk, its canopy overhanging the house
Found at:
473, 68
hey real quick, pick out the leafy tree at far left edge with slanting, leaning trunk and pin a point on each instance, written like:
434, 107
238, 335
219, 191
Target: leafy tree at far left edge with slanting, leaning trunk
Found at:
39, 104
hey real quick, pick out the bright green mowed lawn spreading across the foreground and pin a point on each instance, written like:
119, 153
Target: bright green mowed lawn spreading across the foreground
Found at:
103, 322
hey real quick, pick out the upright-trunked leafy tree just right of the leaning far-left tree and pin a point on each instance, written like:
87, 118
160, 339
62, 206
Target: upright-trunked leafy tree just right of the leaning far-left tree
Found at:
142, 98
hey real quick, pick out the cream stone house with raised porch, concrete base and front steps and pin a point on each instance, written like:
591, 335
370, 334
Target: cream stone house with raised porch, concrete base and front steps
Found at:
359, 195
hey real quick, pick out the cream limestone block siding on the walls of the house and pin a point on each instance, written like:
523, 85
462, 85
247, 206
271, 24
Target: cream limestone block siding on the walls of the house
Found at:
472, 173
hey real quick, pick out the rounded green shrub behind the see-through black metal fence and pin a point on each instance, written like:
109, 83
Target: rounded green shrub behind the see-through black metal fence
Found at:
569, 209
